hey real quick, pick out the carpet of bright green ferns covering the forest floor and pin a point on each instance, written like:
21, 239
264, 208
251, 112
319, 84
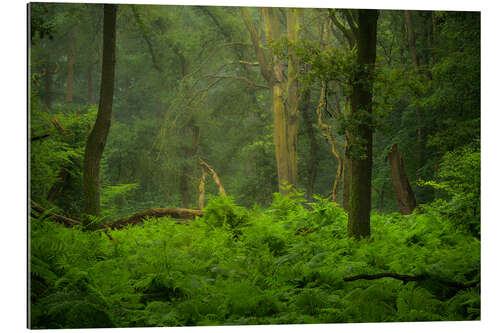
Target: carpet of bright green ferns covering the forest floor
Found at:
283, 264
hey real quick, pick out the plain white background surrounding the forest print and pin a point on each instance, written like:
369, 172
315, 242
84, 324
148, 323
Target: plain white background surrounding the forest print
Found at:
13, 164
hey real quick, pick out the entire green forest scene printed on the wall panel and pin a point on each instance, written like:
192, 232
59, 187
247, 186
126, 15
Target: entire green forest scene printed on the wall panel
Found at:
205, 165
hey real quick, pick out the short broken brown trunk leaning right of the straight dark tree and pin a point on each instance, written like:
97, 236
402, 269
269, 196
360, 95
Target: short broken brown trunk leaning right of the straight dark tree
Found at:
402, 188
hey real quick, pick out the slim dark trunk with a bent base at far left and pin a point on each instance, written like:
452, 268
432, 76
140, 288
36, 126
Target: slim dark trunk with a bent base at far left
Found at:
99, 133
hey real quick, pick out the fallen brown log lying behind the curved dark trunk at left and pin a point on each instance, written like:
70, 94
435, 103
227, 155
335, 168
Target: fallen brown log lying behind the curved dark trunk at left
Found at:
176, 213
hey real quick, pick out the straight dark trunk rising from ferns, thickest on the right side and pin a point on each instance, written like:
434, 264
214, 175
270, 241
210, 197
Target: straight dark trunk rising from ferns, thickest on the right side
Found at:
361, 106
